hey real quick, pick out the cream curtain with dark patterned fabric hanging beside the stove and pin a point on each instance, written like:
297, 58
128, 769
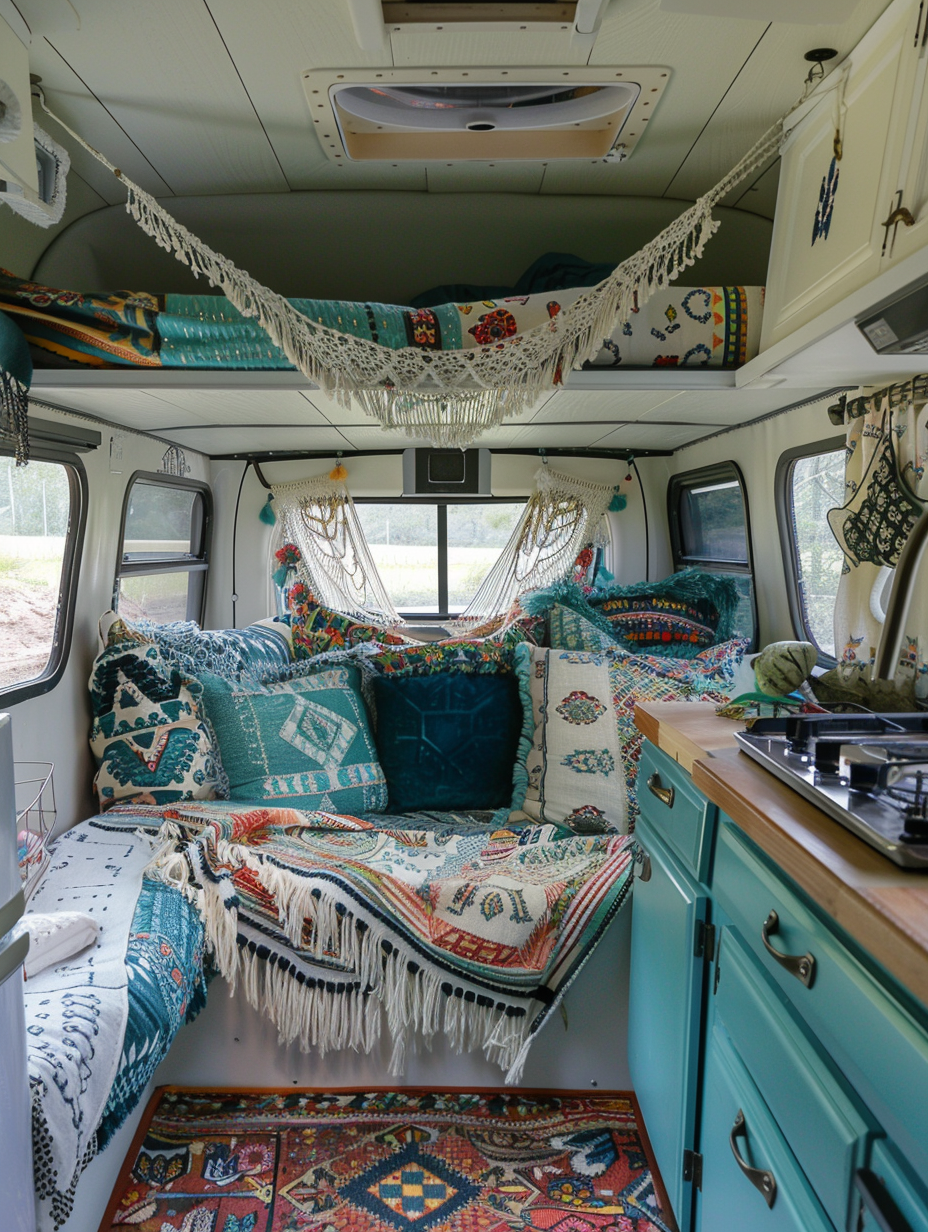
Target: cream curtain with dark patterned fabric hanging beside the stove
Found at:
885, 490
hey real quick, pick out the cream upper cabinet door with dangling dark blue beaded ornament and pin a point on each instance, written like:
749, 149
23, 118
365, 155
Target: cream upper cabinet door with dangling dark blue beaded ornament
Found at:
829, 240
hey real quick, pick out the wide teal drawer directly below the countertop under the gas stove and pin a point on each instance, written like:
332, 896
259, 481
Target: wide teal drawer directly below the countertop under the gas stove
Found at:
874, 1042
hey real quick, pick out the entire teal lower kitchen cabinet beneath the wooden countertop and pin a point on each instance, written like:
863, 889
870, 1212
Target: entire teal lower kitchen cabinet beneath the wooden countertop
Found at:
782, 1072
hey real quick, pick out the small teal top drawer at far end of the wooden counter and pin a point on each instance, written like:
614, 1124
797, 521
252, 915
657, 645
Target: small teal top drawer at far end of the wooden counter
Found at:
677, 810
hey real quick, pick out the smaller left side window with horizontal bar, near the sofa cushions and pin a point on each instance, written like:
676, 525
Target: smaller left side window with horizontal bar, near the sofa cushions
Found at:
165, 550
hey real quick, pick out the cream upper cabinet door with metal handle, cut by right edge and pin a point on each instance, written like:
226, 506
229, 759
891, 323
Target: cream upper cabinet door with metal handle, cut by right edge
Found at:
910, 130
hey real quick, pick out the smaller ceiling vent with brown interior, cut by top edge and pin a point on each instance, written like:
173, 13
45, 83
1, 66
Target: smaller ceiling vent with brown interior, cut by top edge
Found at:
375, 20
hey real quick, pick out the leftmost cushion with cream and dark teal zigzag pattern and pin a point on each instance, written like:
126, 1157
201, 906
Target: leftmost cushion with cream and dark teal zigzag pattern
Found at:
149, 735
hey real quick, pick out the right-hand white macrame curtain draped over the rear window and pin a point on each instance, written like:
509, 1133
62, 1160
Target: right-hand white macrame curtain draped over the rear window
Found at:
561, 517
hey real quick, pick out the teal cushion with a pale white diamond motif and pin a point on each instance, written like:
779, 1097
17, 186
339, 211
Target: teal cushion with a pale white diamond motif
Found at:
303, 744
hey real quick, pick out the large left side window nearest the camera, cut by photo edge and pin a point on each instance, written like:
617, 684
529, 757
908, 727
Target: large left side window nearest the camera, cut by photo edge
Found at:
43, 516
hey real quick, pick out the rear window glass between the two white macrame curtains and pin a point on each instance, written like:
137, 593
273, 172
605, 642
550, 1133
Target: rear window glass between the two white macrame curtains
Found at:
433, 556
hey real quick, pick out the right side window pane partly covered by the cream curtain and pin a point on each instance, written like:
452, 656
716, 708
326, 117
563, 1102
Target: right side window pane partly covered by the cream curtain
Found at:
809, 484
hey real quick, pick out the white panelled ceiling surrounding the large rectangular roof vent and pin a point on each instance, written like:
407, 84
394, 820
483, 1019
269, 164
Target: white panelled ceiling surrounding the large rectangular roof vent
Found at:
205, 97
